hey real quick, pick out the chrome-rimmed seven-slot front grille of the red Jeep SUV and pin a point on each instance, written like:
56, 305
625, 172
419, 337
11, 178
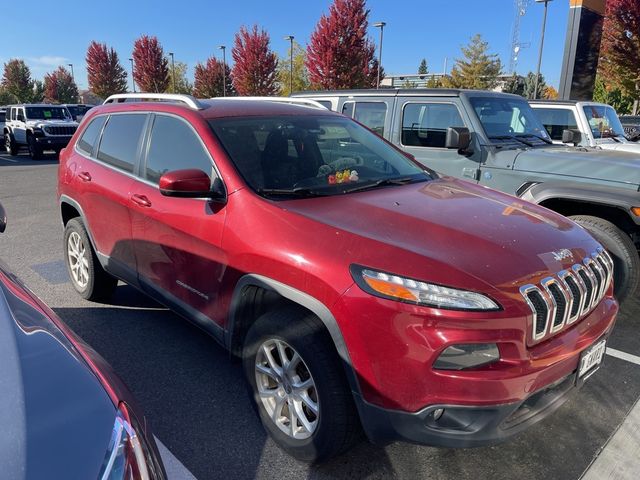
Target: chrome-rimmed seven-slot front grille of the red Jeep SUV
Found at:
569, 295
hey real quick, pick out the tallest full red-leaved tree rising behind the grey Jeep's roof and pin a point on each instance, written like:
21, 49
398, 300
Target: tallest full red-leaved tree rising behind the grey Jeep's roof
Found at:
339, 54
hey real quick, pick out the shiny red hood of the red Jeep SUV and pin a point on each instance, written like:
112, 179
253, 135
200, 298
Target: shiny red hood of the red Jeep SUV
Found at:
450, 232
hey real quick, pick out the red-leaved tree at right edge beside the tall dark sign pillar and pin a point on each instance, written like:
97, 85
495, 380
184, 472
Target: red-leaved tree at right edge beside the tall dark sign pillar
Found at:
619, 63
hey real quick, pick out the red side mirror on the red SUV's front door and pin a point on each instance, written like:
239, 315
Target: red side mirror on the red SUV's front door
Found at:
192, 183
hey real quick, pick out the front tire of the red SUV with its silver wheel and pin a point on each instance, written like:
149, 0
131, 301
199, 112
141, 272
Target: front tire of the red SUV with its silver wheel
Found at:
331, 429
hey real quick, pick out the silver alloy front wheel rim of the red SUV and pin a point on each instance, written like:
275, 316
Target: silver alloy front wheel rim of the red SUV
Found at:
287, 389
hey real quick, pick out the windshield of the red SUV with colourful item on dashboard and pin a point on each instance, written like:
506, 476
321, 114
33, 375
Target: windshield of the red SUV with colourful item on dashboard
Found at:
312, 155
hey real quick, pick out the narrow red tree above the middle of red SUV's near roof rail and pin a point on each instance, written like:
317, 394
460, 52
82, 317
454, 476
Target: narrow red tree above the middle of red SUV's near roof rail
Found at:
151, 68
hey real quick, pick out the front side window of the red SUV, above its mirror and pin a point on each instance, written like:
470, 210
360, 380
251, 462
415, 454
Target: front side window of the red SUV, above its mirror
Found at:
174, 146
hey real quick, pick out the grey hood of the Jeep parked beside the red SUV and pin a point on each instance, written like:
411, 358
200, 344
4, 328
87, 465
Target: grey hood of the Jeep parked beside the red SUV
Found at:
620, 168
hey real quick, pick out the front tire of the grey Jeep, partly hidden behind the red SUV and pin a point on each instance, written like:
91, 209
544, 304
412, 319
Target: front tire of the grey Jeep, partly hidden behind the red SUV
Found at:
626, 262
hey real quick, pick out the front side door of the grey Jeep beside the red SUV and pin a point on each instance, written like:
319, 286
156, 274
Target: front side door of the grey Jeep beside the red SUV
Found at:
422, 132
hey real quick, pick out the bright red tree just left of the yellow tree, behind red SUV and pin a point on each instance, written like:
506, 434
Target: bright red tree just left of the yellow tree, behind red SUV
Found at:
255, 65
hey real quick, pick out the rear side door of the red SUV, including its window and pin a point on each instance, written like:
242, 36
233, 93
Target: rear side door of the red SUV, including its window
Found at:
107, 155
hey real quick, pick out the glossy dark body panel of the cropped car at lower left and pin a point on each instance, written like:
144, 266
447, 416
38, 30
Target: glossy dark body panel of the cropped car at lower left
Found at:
57, 417
